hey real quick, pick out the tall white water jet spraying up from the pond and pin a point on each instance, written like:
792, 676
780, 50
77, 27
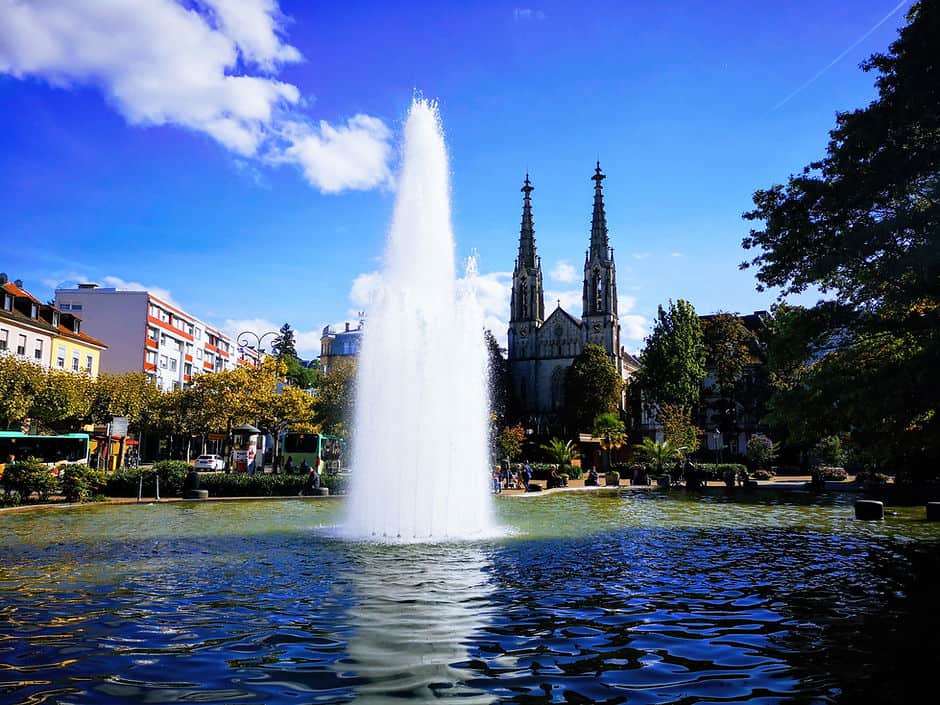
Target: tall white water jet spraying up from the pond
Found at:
420, 467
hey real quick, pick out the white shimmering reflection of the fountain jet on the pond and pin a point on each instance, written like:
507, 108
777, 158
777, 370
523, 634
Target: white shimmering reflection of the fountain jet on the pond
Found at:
414, 617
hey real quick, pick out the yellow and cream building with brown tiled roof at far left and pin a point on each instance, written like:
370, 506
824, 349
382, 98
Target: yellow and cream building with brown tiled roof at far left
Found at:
44, 335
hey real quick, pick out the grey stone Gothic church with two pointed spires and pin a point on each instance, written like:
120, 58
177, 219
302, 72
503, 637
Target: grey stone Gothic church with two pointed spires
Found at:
542, 349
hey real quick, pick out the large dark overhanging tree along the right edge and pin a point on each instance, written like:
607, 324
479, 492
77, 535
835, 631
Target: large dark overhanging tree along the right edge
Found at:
863, 225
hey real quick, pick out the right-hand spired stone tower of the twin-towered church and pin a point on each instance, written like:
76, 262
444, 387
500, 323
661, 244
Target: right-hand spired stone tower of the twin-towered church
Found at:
601, 323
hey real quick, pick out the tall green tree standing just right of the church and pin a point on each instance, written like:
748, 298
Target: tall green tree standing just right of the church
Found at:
672, 363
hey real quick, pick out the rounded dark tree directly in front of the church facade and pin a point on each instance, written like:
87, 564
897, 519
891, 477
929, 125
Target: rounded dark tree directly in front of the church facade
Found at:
592, 386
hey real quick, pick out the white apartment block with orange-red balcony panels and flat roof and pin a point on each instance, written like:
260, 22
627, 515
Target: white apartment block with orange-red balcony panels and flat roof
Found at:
147, 334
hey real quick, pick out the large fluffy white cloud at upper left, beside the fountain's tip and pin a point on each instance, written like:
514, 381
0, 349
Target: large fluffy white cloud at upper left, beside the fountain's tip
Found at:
205, 65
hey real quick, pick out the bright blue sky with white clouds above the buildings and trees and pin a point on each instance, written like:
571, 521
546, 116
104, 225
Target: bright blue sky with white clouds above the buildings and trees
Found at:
239, 156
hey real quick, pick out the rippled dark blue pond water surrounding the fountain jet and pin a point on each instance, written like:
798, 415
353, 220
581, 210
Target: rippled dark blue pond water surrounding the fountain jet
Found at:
589, 598
